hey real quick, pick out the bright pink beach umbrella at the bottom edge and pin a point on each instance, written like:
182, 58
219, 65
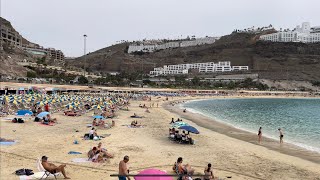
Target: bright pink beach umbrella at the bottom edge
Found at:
147, 175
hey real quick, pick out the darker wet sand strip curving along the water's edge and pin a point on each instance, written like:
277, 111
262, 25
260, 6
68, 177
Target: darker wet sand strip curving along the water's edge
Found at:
240, 134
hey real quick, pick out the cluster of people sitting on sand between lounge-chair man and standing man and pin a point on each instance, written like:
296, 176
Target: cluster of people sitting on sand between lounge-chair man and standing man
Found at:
99, 154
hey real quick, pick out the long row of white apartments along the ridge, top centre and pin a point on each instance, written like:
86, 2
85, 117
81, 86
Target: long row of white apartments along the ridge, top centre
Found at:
174, 44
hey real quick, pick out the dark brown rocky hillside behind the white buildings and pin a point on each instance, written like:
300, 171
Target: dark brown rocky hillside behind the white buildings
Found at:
286, 61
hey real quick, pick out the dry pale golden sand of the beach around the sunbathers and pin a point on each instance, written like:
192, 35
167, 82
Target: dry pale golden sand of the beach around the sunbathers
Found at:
149, 146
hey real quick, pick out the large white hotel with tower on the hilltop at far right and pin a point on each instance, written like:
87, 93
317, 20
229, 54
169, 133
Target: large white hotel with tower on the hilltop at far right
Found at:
305, 34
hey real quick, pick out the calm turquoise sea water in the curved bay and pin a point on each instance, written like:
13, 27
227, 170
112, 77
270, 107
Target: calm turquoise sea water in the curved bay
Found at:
298, 118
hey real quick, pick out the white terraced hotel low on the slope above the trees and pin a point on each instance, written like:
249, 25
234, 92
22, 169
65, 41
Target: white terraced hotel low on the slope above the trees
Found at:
208, 67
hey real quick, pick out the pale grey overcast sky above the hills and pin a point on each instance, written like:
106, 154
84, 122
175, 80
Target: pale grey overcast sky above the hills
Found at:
62, 23
